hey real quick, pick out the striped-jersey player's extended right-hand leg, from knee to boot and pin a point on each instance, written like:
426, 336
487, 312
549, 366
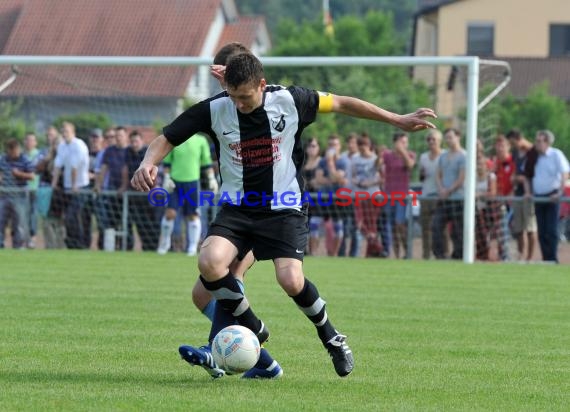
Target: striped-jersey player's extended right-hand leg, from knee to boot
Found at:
306, 296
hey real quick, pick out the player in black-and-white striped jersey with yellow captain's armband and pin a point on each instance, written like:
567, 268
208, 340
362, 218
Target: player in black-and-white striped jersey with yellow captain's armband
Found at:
257, 129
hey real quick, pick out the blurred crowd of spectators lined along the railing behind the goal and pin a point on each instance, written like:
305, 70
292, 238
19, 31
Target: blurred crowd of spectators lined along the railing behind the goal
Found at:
73, 193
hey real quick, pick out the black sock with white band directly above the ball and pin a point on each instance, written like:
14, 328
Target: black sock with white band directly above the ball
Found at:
231, 298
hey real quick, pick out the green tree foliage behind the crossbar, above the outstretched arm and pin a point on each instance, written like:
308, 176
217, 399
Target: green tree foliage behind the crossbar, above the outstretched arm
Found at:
374, 35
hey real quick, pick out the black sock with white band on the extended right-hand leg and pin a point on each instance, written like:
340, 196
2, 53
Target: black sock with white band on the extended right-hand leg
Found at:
314, 308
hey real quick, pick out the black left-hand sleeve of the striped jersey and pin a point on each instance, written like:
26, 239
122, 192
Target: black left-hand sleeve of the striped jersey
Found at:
195, 119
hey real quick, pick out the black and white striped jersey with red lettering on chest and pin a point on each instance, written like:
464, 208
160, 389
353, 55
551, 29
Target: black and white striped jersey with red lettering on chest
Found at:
260, 153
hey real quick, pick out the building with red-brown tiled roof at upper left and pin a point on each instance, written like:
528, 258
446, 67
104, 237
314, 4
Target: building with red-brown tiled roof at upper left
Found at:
134, 96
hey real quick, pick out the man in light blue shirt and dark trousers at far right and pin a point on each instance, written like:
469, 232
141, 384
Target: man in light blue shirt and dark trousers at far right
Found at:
550, 174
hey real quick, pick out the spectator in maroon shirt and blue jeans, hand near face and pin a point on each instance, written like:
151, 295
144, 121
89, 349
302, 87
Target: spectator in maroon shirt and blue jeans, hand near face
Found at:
398, 163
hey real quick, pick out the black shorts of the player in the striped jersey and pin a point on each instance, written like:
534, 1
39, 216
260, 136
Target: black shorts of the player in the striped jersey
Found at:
270, 234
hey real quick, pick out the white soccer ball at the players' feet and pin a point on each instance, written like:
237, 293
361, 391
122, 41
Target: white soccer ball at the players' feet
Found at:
235, 349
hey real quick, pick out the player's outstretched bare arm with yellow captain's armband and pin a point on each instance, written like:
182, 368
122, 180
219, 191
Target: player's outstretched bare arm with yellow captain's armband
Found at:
354, 107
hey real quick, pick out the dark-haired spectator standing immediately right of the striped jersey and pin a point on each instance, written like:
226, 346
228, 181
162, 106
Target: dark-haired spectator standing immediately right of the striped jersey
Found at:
310, 165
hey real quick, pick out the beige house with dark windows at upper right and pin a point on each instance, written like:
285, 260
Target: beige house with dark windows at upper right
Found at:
534, 37
